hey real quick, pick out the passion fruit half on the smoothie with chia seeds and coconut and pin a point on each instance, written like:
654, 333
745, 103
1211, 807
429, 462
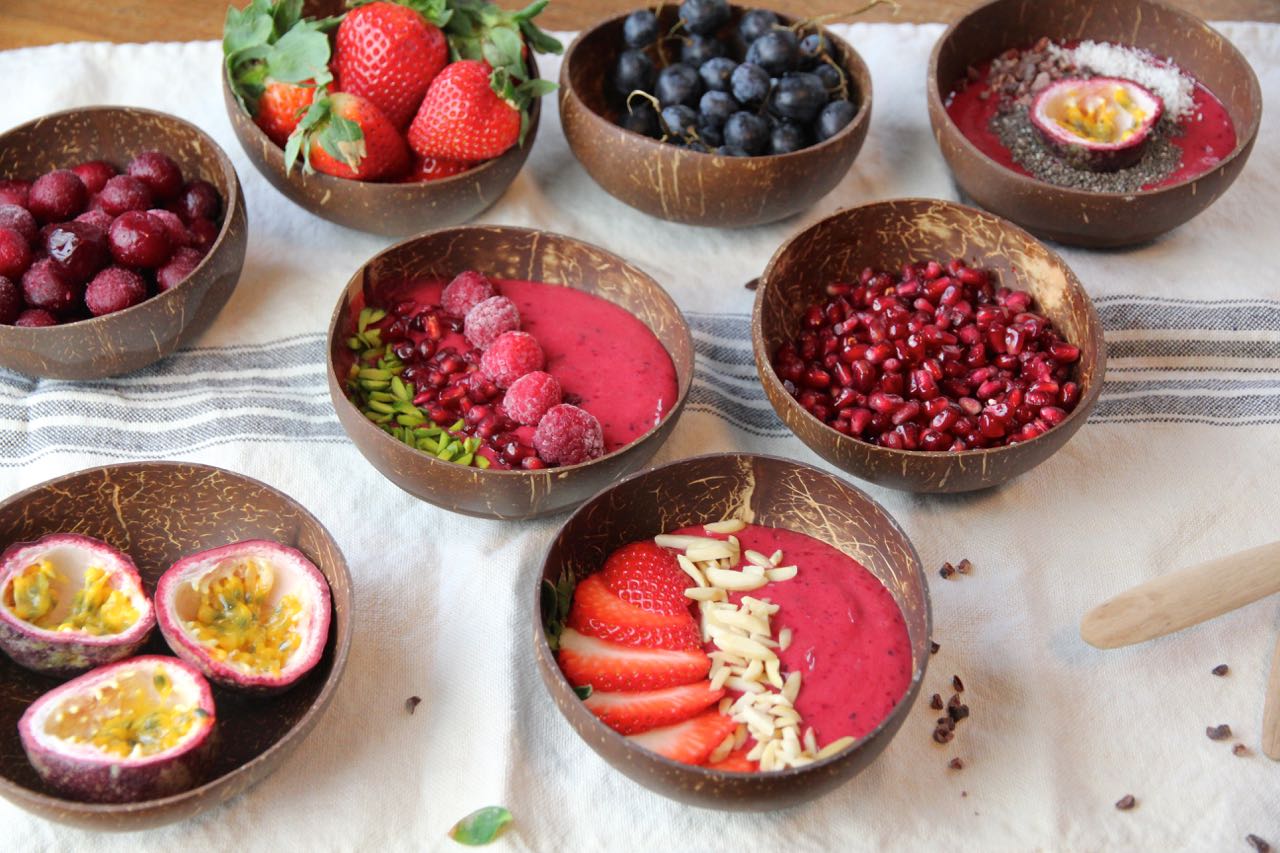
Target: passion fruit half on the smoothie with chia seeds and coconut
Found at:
1100, 125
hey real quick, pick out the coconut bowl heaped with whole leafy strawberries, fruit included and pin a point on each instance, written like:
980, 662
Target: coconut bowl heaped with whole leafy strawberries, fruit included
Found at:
391, 117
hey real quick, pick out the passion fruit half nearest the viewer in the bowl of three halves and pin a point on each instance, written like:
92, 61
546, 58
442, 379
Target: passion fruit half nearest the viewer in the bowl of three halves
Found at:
124, 733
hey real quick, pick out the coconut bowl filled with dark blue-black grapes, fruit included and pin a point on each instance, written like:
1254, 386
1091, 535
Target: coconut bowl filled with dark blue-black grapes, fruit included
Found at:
714, 115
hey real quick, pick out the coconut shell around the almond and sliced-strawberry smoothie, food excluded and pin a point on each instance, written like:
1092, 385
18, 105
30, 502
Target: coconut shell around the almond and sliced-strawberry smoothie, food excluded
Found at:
760, 490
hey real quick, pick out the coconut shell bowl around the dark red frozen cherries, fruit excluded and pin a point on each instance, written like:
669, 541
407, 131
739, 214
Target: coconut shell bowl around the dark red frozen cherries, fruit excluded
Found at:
129, 340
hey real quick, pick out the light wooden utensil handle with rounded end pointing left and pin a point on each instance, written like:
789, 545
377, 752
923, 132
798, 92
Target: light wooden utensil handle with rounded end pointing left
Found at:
1185, 599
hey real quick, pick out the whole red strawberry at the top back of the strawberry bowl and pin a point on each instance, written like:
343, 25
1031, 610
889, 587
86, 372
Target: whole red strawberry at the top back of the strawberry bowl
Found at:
390, 54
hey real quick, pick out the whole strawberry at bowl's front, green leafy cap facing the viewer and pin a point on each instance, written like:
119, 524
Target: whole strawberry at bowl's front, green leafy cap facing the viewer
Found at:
349, 138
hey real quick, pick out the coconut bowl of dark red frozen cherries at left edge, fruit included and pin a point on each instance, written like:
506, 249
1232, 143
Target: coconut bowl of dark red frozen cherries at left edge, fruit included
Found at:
122, 235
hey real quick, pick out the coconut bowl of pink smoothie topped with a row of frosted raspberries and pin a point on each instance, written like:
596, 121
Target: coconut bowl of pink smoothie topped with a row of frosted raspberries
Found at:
506, 373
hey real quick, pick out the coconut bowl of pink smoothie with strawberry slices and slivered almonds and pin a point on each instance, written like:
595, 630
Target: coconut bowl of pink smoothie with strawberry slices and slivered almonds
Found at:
748, 635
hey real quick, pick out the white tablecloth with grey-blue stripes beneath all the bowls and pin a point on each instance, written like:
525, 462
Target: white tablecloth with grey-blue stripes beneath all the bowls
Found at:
1178, 466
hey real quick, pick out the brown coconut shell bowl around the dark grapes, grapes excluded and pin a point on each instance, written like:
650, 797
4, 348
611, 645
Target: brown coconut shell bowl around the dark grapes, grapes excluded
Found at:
688, 186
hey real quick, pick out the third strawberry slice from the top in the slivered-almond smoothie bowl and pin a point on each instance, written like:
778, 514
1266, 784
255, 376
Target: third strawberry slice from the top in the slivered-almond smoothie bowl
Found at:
610, 667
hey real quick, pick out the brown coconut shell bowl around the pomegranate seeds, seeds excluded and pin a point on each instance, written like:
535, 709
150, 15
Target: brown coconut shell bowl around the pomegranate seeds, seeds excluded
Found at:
886, 236
